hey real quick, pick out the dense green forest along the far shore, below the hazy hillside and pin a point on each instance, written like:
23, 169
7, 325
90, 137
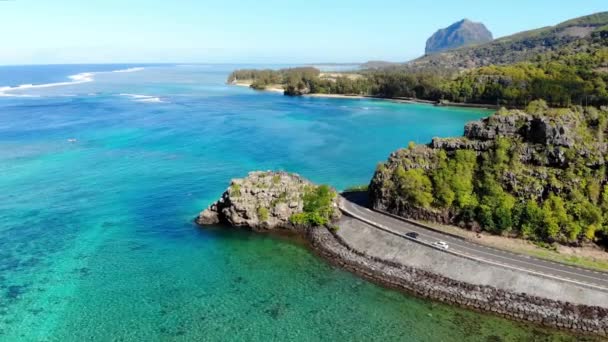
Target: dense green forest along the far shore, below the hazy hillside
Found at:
570, 75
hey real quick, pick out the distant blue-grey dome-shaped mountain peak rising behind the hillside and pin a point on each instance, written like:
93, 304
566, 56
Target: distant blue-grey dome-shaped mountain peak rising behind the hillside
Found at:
462, 33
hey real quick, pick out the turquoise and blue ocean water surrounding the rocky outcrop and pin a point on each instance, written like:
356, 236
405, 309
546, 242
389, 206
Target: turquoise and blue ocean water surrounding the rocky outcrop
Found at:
101, 177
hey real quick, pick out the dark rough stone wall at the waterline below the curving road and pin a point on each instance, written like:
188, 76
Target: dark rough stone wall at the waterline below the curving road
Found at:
518, 306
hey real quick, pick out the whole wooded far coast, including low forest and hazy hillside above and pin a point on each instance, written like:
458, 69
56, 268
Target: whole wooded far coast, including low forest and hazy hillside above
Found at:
564, 65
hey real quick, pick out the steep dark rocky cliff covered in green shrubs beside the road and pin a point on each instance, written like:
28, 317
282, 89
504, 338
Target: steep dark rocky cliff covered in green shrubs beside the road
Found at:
537, 174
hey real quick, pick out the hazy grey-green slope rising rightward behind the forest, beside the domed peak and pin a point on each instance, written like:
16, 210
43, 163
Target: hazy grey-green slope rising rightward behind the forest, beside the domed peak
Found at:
575, 35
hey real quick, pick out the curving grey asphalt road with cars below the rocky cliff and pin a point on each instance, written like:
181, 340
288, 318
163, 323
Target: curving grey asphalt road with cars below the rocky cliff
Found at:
356, 206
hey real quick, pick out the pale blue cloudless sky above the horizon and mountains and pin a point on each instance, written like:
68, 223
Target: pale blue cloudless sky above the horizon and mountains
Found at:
249, 31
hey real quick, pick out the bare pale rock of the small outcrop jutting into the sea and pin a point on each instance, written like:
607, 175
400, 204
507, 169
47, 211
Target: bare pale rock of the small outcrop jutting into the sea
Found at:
263, 201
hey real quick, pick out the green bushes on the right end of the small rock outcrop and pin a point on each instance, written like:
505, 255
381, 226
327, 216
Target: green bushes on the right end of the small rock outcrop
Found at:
318, 208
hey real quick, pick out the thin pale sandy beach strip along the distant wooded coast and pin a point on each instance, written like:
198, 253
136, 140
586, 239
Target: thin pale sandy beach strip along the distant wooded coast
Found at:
404, 100
